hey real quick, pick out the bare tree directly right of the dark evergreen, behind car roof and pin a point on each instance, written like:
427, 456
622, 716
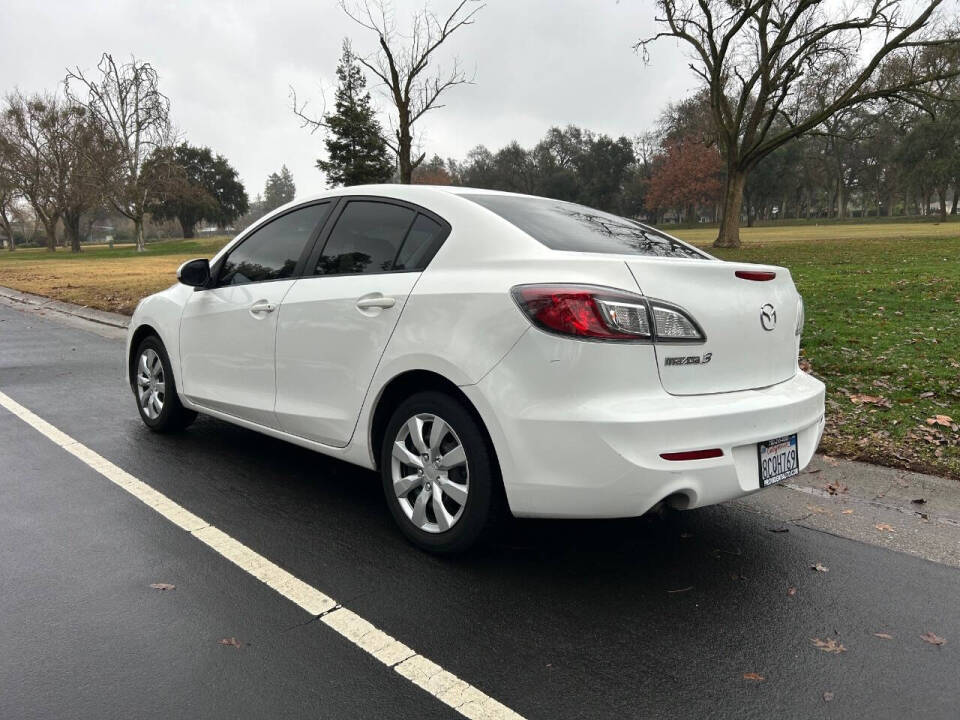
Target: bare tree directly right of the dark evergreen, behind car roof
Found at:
402, 64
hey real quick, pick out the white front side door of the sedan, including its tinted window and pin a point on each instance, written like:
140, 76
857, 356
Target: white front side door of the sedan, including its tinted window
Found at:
228, 331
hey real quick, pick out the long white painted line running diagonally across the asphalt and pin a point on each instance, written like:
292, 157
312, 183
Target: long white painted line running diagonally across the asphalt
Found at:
445, 686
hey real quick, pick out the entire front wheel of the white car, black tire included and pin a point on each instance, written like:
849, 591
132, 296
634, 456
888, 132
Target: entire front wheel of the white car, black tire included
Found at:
155, 389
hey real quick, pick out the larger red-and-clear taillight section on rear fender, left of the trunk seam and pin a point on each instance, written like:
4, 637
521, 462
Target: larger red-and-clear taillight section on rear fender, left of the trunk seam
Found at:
584, 311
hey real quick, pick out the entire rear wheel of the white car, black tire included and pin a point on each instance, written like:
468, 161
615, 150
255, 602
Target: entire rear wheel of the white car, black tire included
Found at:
412, 480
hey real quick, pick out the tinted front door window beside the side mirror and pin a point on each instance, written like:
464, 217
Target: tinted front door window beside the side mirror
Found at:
272, 252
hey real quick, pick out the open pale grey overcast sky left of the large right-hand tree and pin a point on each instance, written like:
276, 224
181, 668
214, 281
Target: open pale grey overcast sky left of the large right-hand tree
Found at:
227, 65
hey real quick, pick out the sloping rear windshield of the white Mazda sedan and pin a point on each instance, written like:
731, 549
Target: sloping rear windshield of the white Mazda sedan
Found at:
566, 226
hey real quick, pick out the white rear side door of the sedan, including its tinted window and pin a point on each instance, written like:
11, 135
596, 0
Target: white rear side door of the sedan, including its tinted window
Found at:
336, 320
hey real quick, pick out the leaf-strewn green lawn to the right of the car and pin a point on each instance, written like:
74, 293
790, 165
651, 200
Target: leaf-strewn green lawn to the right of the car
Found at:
883, 320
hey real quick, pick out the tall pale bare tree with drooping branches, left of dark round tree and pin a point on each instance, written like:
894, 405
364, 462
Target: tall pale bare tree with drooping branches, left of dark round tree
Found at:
133, 118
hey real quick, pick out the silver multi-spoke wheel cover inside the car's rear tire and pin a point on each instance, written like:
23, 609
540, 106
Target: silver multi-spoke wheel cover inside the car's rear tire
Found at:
429, 472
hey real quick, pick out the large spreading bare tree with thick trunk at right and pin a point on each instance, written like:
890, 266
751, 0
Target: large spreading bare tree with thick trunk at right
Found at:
765, 62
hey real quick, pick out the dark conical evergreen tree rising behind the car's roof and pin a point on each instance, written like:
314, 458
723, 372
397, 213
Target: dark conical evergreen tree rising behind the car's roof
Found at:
356, 148
